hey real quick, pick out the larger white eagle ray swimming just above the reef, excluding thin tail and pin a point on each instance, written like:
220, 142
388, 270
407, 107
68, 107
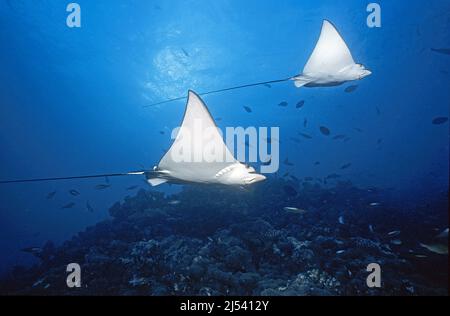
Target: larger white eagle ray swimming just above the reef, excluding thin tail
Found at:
199, 154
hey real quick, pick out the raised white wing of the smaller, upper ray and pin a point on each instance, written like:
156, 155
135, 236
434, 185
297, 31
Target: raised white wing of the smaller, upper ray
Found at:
331, 53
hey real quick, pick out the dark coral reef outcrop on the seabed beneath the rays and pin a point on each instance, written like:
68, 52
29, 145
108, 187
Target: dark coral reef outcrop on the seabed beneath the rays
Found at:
226, 241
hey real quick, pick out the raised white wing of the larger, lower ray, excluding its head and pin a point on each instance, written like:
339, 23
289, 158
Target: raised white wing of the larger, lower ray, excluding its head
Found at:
198, 153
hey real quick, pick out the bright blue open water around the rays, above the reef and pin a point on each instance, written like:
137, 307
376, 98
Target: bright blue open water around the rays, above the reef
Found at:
72, 99
